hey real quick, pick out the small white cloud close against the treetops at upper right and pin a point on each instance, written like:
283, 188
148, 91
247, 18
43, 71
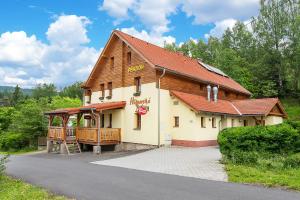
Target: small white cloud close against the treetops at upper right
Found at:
220, 28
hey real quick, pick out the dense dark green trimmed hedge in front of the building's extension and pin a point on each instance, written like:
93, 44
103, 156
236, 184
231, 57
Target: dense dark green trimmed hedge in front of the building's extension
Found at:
278, 139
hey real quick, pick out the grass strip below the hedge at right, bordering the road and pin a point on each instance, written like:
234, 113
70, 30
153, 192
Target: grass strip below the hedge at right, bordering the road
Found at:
287, 178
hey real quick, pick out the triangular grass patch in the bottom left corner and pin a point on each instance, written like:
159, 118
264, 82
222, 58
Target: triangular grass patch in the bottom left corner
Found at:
12, 189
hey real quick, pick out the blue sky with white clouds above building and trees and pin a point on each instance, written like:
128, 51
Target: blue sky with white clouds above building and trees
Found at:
59, 41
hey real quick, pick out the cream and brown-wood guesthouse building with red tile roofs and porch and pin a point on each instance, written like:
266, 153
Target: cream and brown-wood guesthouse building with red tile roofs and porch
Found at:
144, 95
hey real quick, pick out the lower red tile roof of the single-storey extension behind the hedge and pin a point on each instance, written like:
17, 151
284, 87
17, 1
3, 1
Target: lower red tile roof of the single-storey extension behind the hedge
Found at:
236, 107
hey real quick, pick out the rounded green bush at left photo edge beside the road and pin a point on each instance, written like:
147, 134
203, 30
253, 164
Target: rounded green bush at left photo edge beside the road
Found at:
13, 141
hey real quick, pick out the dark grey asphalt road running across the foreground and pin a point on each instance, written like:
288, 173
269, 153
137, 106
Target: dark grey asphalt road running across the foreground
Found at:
76, 178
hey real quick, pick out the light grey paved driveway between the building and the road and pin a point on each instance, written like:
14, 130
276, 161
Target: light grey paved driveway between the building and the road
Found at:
192, 162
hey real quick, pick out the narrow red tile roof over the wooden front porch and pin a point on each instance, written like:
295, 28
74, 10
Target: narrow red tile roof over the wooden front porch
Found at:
97, 106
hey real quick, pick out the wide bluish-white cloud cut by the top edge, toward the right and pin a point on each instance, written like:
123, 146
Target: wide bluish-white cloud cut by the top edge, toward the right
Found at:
213, 11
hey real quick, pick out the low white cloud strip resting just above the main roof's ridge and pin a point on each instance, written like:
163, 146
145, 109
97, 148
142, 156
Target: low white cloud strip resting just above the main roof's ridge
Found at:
151, 37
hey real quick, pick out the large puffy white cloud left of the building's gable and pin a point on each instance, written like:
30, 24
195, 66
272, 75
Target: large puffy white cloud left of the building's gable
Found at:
26, 61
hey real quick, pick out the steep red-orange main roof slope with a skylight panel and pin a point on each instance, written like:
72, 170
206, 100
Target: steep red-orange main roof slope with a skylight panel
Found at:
181, 64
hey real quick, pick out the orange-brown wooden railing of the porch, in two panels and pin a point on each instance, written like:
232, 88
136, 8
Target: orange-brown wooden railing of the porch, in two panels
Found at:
90, 135
